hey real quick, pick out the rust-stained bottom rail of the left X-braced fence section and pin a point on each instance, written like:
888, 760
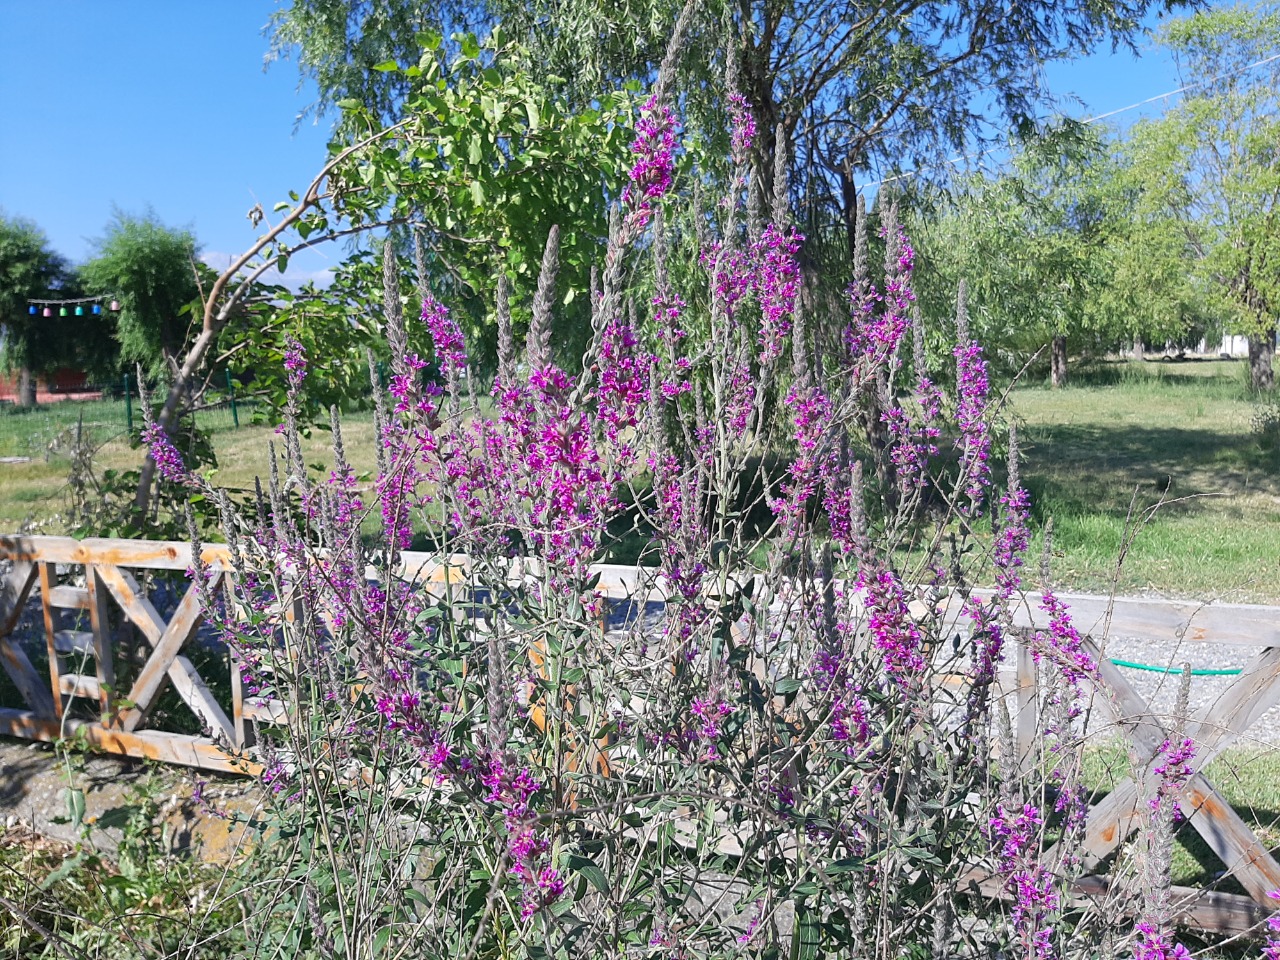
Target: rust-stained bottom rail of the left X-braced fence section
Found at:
152, 744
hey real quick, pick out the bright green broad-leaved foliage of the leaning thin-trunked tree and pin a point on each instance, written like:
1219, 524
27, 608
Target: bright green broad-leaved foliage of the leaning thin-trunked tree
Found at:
486, 162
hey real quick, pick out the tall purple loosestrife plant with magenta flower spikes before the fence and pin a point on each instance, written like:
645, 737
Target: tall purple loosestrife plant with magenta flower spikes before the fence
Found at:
798, 753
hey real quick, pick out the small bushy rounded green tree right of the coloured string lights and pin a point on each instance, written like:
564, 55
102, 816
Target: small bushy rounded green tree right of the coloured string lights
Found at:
153, 271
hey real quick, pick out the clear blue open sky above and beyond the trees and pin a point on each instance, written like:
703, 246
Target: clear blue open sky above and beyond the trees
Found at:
166, 103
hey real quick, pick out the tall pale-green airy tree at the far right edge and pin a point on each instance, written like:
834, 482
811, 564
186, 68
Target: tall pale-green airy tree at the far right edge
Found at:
1214, 163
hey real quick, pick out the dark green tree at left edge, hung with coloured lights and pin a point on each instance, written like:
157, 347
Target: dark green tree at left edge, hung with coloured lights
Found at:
36, 345
